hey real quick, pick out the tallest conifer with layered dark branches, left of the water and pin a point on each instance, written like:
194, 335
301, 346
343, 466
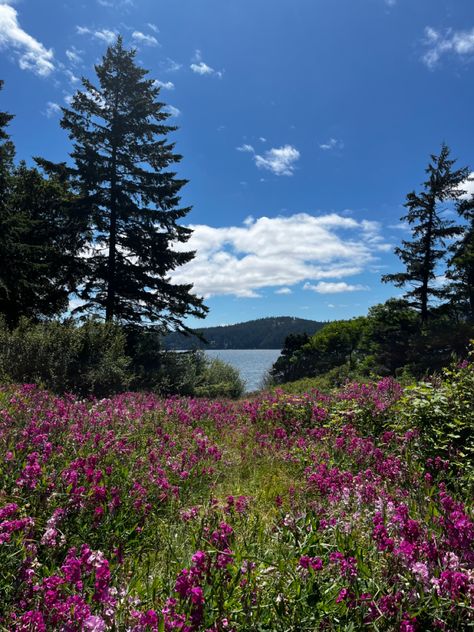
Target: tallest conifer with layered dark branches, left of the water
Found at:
122, 160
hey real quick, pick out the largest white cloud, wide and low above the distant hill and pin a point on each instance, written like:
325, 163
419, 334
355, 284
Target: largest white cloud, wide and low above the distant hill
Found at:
277, 252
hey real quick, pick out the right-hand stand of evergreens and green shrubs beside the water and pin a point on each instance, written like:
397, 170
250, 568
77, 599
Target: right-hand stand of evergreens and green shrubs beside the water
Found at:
434, 319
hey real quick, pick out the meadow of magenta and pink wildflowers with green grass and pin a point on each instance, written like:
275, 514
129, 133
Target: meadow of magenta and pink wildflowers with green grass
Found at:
283, 512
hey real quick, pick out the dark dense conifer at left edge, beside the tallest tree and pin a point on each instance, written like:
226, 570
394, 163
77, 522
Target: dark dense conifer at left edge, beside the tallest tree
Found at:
39, 238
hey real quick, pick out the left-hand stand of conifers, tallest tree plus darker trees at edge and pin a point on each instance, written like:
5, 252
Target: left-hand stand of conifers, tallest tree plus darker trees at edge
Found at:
103, 226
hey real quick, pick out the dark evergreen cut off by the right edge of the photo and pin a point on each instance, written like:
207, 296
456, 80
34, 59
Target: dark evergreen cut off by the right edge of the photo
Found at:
461, 263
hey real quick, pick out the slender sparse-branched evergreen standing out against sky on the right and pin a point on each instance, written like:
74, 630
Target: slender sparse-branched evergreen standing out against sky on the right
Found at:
430, 231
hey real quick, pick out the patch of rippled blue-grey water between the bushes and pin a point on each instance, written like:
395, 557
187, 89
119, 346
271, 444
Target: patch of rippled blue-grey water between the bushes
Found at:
252, 364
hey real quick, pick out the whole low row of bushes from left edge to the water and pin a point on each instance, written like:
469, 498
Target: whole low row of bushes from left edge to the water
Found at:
101, 359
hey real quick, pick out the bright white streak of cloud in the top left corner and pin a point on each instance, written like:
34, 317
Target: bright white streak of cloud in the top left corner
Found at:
31, 54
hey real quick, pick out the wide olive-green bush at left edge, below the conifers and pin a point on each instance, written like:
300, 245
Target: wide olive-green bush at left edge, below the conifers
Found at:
87, 360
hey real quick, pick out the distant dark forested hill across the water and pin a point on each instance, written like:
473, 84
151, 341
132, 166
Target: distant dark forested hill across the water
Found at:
264, 333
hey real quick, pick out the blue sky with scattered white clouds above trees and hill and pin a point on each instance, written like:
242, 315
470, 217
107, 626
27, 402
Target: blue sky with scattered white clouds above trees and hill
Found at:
303, 125
